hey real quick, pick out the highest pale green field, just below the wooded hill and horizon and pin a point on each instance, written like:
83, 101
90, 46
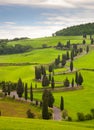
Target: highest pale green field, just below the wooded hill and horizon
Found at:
50, 41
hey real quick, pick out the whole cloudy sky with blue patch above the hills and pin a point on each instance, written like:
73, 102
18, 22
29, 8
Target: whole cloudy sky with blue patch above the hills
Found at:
39, 18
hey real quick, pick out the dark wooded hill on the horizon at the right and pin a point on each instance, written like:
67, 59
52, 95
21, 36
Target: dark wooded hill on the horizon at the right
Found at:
77, 30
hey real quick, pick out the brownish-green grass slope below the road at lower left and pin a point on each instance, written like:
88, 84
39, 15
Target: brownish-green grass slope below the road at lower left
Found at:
12, 108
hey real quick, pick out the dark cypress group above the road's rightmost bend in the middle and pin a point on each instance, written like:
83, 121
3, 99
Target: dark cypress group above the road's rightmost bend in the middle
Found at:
78, 80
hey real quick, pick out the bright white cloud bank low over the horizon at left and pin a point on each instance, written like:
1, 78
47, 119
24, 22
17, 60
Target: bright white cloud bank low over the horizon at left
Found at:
27, 31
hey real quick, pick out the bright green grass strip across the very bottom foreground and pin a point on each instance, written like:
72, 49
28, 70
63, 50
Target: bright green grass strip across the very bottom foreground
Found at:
29, 124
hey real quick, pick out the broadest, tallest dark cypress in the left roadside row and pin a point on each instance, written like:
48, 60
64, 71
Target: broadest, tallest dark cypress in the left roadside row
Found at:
20, 88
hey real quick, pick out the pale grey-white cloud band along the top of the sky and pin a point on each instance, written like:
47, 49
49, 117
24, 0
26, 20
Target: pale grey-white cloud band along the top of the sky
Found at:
51, 3
